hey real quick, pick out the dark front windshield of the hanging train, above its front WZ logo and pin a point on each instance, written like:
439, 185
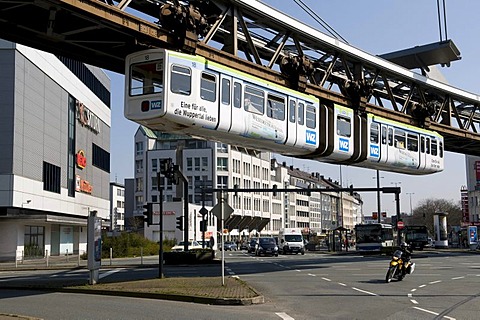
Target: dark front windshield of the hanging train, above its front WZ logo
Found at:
146, 78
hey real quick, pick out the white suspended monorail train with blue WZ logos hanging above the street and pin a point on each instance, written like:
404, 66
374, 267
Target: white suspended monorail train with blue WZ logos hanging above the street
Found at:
186, 94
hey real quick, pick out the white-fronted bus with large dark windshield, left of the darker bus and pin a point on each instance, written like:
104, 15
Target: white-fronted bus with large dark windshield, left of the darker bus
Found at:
375, 237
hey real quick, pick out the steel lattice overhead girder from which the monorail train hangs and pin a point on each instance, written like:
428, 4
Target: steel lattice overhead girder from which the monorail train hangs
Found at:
255, 38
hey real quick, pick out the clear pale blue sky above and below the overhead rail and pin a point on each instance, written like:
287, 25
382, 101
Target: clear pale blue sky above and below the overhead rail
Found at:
375, 27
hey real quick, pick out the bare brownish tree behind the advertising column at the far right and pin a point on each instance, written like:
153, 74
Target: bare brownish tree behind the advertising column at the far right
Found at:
423, 213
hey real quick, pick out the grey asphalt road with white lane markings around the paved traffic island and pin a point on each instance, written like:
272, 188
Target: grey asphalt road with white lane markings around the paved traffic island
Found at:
313, 286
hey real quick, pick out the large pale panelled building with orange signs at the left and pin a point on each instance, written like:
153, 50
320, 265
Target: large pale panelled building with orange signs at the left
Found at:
55, 163
